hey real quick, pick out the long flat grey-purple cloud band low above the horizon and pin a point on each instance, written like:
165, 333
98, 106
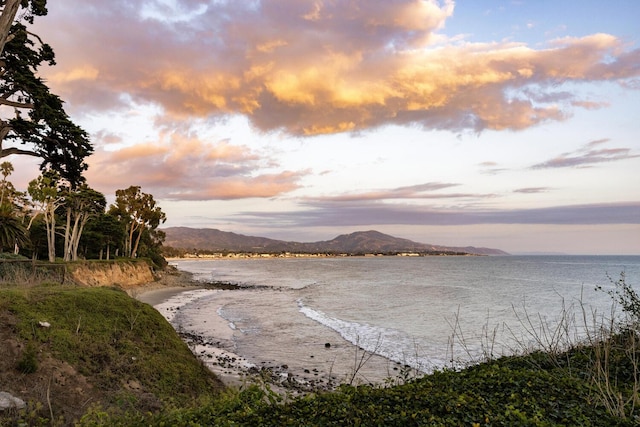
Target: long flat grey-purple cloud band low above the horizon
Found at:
363, 214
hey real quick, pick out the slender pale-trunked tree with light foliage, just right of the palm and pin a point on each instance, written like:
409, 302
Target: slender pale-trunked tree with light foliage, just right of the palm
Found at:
44, 193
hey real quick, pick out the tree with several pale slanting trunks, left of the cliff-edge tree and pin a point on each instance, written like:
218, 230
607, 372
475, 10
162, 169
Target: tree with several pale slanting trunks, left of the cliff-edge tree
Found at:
80, 205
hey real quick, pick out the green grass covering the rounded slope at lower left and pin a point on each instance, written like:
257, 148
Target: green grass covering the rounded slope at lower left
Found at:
112, 340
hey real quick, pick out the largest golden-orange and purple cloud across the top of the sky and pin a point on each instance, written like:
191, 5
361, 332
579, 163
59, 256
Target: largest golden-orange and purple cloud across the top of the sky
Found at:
318, 67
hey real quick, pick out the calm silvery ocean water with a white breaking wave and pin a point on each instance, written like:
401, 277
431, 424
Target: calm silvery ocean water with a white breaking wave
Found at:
315, 315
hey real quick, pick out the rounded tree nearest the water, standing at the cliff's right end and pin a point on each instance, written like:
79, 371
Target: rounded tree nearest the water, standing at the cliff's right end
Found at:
138, 211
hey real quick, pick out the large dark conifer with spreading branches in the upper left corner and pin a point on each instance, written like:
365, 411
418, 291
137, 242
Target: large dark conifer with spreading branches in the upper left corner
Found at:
31, 116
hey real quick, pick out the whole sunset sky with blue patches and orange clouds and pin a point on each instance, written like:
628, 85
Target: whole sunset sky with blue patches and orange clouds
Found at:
506, 124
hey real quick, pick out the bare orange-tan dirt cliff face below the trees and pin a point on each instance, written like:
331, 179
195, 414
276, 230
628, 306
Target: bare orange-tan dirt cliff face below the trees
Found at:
125, 275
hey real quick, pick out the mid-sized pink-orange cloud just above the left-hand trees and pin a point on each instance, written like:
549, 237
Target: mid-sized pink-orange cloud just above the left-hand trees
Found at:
184, 168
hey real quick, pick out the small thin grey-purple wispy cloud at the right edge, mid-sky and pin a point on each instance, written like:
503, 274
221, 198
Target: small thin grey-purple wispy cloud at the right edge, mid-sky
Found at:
586, 156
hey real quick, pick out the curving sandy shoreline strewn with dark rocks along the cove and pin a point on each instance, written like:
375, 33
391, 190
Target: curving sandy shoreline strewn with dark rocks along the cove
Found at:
217, 350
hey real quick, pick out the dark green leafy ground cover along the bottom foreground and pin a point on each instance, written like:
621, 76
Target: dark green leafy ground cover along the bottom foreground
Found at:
509, 391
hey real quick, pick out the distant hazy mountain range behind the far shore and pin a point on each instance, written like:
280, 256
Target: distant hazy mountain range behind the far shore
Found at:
361, 242
